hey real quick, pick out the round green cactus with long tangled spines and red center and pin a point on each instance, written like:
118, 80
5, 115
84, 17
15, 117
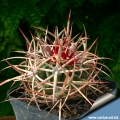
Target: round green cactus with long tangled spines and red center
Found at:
58, 71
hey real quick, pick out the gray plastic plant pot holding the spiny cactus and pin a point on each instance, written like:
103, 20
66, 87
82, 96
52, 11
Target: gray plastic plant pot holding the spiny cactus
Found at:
24, 112
